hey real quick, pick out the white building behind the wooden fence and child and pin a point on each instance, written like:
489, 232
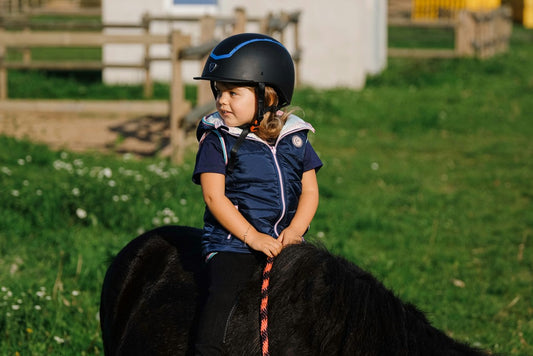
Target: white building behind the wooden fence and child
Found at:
342, 41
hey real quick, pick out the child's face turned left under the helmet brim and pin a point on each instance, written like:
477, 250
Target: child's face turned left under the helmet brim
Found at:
236, 104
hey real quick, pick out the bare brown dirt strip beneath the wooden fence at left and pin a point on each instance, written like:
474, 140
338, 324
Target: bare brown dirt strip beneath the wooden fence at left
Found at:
145, 135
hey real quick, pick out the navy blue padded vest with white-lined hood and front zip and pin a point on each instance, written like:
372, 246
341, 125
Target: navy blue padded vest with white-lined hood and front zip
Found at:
265, 185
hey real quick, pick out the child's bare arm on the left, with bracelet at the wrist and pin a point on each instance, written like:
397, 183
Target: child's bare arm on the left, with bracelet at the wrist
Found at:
213, 189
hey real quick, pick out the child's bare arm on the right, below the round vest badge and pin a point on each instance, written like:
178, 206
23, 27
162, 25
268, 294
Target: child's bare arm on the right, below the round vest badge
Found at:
305, 212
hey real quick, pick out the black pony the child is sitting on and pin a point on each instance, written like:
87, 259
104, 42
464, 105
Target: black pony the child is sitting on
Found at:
319, 304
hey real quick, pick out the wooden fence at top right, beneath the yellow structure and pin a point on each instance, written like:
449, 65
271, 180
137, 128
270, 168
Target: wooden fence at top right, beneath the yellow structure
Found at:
480, 34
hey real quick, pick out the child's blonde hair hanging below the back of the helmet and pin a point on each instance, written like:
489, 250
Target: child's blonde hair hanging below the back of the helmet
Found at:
273, 121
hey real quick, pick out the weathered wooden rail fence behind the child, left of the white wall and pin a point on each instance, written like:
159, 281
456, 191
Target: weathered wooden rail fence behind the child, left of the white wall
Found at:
180, 112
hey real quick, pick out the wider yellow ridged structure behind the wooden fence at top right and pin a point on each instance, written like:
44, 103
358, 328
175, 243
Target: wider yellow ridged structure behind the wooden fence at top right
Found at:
431, 9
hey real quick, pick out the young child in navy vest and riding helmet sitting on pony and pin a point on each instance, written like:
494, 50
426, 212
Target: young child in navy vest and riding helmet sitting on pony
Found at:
256, 168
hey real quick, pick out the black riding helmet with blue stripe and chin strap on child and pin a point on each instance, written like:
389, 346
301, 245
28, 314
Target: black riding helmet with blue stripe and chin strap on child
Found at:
256, 60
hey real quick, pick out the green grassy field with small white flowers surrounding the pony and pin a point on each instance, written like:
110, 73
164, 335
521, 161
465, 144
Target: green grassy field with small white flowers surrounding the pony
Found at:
427, 183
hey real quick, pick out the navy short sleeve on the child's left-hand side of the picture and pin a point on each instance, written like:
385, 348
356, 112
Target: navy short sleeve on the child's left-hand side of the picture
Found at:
210, 157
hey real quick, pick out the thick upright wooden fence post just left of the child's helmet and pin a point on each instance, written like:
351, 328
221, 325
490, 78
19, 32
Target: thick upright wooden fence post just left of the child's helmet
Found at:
178, 105
